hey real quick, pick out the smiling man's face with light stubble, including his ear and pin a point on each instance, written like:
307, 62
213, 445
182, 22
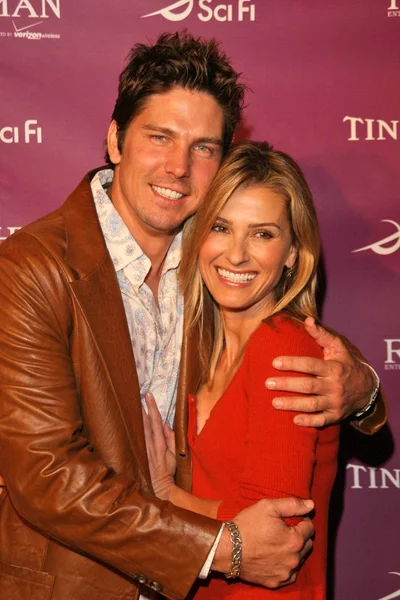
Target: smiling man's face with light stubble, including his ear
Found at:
171, 153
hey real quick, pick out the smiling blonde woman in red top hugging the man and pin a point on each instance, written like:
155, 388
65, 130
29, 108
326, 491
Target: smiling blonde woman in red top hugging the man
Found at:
251, 253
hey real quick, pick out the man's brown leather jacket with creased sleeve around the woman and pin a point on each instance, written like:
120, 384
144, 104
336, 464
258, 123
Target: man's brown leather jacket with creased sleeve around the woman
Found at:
78, 519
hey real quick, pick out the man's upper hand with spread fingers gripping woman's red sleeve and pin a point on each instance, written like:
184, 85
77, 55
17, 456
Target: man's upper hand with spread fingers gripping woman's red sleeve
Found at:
342, 386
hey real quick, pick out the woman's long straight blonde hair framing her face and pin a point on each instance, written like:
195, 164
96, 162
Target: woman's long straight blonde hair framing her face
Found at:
251, 164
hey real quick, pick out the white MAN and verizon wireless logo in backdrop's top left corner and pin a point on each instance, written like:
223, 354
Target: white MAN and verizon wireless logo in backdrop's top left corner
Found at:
30, 19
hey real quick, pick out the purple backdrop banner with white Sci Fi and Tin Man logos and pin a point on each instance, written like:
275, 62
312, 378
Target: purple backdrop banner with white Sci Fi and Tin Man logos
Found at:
324, 79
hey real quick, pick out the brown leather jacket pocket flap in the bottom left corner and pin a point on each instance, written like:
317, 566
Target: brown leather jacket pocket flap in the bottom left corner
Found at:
20, 583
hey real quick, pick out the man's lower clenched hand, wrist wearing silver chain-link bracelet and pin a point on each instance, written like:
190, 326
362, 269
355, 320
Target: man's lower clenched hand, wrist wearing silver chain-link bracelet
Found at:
273, 552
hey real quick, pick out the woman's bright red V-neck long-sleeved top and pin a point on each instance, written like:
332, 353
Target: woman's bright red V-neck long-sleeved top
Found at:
247, 450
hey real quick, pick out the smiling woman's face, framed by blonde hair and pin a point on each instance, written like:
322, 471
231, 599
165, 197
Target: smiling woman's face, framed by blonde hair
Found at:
242, 259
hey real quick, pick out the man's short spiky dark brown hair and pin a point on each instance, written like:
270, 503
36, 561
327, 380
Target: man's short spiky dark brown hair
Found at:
178, 59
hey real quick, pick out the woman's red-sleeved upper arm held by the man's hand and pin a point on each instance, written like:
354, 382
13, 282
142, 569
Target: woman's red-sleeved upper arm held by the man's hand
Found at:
280, 456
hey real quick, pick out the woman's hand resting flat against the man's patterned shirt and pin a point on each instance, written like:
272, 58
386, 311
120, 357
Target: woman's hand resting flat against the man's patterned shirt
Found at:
160, 445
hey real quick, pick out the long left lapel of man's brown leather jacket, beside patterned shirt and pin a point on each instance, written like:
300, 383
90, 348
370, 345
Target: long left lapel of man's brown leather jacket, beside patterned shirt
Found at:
98, 295
